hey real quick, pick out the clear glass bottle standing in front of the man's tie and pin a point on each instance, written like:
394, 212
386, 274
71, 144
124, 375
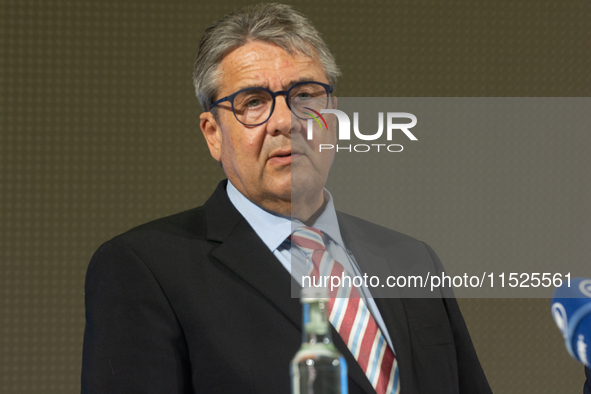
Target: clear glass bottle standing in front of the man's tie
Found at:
318, 367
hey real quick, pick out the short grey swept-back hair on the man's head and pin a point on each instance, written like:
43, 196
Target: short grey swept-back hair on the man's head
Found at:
272, 23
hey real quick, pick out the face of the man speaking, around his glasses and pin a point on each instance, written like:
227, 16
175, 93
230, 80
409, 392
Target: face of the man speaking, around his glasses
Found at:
259, 160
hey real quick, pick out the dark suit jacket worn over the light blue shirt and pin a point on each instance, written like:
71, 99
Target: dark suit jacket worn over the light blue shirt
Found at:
196, 302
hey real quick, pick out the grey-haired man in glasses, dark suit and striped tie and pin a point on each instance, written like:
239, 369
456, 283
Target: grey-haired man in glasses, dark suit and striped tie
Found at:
200, 301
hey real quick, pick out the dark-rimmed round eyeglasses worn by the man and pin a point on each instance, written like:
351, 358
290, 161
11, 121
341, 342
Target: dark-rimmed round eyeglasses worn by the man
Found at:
254, 106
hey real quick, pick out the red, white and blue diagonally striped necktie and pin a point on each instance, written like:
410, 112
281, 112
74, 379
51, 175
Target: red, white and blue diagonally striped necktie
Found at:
350, 317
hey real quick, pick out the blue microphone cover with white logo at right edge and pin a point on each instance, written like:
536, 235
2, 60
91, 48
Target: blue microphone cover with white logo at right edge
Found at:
571, 309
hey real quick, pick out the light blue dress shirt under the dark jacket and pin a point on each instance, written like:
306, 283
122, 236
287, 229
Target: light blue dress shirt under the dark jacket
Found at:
274, 229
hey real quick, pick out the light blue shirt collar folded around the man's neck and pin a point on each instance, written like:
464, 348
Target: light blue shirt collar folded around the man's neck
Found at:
274, 228
